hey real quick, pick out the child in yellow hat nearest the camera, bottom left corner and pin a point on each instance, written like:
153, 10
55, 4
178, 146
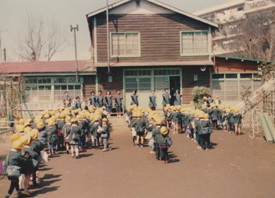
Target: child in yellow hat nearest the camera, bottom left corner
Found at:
14, 158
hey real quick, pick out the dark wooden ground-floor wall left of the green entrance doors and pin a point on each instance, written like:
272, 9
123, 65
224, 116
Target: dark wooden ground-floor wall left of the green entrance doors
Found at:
104, 85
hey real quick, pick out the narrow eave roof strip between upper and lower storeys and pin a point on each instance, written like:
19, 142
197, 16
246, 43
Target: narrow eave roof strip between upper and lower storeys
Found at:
155, 64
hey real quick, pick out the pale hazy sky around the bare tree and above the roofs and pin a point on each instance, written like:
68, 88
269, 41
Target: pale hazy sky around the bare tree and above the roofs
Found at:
67, 12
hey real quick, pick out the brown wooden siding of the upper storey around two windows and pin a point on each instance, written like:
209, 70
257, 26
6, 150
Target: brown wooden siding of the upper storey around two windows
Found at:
159, 34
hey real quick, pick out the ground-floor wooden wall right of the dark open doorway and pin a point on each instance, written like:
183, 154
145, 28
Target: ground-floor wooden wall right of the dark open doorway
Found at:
188, 82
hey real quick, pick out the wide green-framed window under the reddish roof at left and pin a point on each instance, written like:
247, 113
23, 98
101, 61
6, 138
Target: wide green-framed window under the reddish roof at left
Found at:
49, 89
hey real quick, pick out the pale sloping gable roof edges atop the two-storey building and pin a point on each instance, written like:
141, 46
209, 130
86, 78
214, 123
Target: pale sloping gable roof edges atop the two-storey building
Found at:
114, 5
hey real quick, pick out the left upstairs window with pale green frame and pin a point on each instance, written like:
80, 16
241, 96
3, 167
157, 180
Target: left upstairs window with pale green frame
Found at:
125, 44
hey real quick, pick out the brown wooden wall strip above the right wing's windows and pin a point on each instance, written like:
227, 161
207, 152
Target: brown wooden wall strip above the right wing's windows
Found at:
235, 66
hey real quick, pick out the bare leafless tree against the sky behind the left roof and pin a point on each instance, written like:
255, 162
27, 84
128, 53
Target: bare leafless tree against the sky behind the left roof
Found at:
40, 39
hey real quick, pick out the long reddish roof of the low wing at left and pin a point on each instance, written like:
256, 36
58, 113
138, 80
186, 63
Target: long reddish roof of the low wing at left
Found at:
46, 67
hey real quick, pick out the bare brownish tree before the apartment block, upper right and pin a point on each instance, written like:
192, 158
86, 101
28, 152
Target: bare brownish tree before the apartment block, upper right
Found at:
253, 36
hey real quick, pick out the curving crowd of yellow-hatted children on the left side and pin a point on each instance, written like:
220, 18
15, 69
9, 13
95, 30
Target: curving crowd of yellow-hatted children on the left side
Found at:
52, 129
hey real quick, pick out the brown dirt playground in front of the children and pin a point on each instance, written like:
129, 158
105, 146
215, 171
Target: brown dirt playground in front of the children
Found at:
236, 167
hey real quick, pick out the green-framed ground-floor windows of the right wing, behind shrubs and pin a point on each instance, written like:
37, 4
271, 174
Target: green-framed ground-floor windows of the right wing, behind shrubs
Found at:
229, 85
